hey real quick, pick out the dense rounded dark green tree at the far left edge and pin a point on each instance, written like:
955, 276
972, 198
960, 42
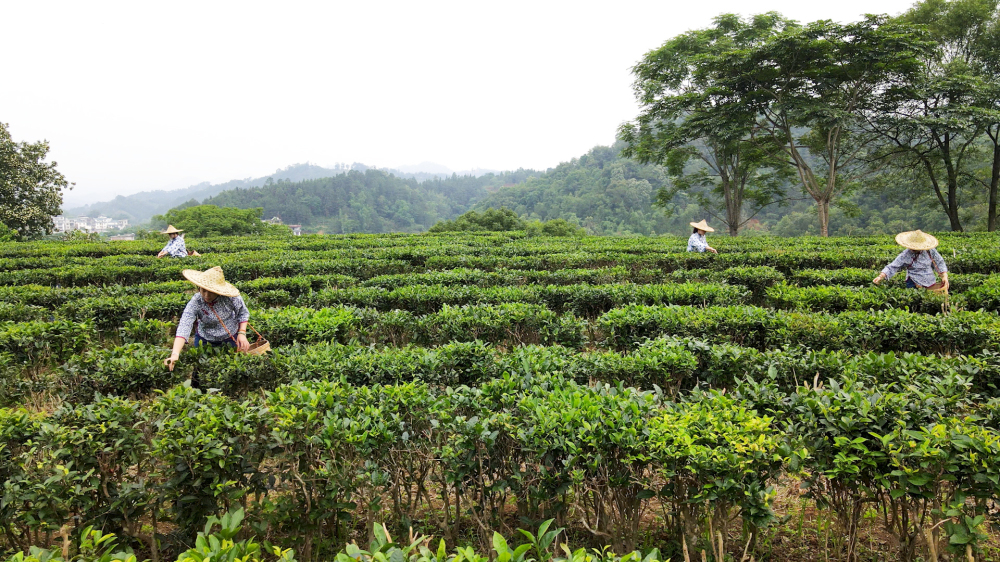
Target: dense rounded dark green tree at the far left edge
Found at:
30, 188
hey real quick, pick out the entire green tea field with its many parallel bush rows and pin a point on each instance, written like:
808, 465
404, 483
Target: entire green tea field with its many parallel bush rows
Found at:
765, 402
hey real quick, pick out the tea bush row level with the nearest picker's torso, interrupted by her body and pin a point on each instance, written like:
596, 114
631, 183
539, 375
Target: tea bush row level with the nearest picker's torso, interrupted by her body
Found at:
38, 343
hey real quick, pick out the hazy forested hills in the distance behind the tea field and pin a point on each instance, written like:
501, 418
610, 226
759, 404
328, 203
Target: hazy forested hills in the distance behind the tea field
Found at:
599, 191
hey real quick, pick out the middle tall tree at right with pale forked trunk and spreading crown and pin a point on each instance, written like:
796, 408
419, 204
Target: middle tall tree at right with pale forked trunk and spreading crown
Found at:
812, 85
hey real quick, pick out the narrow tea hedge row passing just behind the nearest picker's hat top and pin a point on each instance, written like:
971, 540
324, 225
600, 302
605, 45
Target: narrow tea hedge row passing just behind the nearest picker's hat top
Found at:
364, 264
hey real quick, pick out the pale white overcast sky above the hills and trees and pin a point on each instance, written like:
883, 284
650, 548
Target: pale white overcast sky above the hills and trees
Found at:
140, 95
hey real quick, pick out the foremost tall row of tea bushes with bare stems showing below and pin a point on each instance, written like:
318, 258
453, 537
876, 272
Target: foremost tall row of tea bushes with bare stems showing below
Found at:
458, 458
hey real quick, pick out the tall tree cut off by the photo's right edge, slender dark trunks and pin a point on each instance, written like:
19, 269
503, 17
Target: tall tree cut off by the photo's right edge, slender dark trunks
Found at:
946, 120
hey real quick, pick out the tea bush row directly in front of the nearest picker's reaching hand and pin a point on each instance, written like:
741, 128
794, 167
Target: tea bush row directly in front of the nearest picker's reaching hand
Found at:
671, 364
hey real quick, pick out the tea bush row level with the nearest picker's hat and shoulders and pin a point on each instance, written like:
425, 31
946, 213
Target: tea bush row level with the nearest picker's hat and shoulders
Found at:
116, 303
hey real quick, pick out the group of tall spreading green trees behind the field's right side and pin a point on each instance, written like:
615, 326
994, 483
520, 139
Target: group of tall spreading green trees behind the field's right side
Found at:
910, 104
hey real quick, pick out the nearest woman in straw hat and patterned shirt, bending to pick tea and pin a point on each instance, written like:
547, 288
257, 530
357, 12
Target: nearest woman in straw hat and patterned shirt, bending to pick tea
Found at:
218, 308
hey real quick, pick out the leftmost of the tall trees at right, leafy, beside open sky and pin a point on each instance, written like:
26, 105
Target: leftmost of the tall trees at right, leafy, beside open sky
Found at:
713, 156
